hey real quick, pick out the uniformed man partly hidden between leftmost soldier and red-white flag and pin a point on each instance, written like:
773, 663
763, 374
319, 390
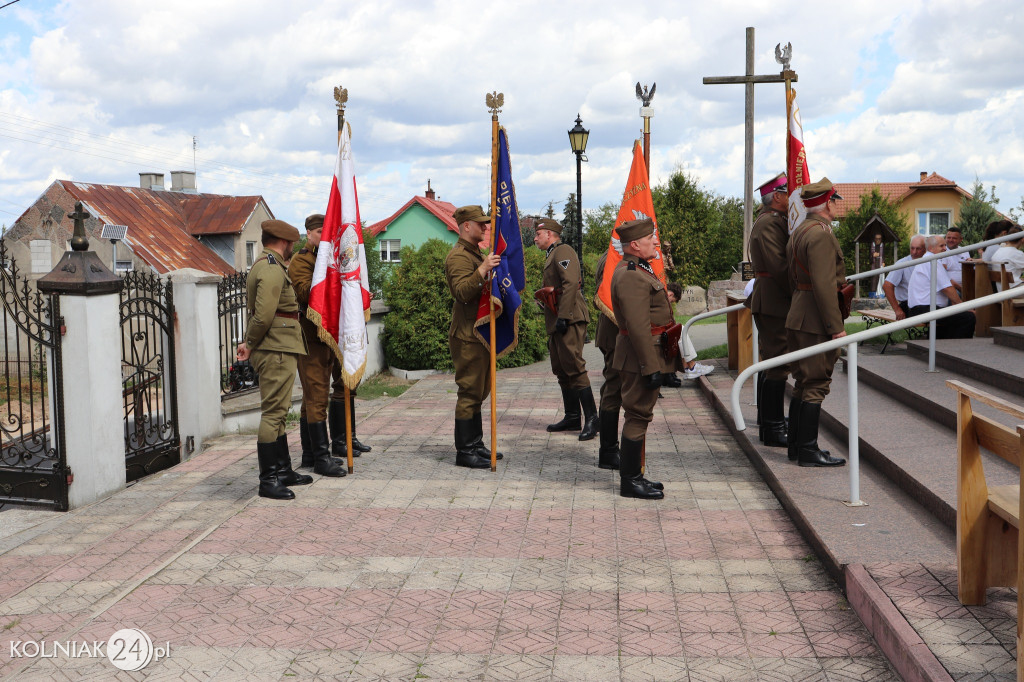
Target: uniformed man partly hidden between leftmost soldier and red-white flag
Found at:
316, 366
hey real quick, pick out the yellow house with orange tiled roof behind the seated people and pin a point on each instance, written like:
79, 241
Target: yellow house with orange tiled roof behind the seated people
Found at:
932, 204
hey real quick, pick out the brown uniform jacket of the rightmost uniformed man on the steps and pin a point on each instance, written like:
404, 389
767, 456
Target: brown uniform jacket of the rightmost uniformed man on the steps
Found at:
818, 271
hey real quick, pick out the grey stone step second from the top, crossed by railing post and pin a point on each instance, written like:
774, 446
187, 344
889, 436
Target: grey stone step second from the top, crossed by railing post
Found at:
979, 360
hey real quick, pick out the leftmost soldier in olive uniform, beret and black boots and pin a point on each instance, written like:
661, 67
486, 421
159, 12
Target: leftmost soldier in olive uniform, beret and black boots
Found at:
273, 343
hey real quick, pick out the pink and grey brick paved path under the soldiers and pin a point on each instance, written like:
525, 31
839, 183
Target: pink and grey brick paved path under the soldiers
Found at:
415, 570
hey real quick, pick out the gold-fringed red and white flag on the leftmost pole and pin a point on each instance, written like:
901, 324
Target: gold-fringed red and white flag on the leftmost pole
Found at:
339, 296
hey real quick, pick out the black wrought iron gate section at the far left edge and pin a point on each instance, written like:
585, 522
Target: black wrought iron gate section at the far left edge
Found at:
33, 460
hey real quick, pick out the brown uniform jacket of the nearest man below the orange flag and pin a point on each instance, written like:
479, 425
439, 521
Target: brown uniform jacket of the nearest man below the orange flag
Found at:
641, 303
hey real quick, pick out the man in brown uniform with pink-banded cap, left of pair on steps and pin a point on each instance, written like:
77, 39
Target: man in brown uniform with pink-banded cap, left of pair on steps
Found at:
771, 306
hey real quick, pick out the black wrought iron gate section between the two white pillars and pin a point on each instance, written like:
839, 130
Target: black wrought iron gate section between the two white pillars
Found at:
151, 405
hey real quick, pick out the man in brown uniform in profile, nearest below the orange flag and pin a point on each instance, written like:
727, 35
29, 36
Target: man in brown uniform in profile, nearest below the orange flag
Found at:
644, 312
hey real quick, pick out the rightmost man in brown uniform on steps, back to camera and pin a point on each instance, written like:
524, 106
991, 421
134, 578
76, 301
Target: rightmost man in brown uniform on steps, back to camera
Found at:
818, 271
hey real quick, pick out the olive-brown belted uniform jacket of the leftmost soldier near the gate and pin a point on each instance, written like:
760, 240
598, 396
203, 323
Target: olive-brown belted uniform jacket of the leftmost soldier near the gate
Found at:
270, 293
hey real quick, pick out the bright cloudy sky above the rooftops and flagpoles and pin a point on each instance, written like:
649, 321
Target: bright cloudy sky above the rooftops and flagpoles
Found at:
103, 91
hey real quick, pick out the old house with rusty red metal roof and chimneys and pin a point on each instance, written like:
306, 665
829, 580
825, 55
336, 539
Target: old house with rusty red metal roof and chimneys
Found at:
168, 230
